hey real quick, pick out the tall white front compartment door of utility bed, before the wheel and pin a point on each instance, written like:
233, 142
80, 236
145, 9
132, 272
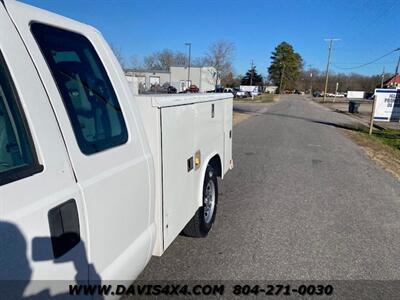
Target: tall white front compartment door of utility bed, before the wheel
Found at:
178, 170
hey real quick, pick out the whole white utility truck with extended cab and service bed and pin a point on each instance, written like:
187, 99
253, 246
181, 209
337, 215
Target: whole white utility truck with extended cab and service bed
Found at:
95, 180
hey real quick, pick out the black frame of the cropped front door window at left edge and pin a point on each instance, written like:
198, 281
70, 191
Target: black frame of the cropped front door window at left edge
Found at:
35, 167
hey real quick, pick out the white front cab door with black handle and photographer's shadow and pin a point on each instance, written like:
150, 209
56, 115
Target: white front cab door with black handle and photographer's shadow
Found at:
37, 185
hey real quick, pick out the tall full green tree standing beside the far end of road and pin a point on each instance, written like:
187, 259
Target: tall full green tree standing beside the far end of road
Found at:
286, 62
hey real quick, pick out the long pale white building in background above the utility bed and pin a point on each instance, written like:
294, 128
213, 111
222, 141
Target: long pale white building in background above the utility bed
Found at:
203, 77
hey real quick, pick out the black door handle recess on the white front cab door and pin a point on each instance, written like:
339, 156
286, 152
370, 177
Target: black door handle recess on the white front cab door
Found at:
64, 227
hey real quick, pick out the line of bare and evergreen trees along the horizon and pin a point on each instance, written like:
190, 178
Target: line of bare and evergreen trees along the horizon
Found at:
286, 70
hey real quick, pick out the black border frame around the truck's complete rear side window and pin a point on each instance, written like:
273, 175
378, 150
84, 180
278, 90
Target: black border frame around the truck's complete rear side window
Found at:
80, 140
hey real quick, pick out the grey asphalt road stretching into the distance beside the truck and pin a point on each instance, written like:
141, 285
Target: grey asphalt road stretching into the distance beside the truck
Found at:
303, 202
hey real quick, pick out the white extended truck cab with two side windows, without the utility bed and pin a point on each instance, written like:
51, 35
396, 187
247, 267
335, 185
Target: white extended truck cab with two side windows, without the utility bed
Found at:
74, 155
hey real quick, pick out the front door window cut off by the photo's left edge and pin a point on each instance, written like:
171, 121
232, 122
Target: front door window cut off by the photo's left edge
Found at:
17, 155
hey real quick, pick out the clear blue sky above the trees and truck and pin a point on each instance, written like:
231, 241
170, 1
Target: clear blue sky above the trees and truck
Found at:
367, 29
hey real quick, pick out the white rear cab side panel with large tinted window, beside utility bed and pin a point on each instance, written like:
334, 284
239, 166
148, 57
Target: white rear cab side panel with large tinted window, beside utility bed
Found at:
91, 99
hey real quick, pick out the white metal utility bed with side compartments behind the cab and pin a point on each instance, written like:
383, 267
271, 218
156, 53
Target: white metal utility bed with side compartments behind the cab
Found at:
184, 133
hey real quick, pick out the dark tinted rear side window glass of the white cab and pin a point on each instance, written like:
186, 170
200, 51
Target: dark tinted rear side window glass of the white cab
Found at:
88, 95
